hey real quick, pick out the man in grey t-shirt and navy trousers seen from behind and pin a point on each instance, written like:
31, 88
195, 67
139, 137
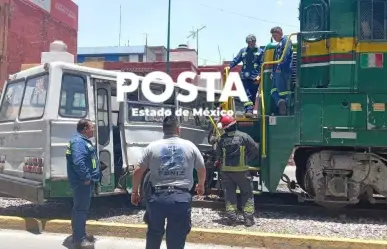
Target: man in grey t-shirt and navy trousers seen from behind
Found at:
171, 162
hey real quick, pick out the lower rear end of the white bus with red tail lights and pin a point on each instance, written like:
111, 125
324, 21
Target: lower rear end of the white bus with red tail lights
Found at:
19, 142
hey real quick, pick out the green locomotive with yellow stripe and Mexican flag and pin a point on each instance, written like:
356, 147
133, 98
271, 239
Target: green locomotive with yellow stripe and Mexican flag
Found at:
337, 121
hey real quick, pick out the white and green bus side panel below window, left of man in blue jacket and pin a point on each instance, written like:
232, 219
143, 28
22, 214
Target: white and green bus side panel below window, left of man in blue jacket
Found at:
61, 132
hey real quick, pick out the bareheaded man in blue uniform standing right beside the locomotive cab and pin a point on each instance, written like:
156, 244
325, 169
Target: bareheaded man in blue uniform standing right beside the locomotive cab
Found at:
281, 71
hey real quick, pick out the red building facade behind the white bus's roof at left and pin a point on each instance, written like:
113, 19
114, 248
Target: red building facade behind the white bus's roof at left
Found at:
28, 27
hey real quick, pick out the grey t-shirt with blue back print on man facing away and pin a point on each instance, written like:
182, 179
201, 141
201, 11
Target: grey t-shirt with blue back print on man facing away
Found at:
171, 161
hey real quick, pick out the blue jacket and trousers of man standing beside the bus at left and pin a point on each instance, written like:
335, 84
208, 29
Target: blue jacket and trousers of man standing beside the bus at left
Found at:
82, 165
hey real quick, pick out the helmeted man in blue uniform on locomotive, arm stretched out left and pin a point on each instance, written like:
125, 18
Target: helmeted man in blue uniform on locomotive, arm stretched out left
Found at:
251, 56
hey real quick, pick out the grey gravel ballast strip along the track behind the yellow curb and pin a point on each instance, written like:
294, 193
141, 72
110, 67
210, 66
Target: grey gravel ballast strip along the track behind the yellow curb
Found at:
273, 222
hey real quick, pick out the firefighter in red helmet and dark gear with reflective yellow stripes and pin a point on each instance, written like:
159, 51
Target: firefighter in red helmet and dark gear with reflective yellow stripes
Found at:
234, 150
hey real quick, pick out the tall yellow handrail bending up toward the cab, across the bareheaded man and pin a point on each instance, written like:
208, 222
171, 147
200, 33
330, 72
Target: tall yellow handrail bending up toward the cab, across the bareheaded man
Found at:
262, 99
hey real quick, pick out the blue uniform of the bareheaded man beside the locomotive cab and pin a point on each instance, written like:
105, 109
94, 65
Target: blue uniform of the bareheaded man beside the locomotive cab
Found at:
280, 89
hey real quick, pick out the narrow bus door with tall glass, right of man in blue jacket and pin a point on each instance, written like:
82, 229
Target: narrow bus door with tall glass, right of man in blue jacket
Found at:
104, 131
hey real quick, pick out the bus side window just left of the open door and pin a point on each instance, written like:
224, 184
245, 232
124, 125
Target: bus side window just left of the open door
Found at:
73, 101
